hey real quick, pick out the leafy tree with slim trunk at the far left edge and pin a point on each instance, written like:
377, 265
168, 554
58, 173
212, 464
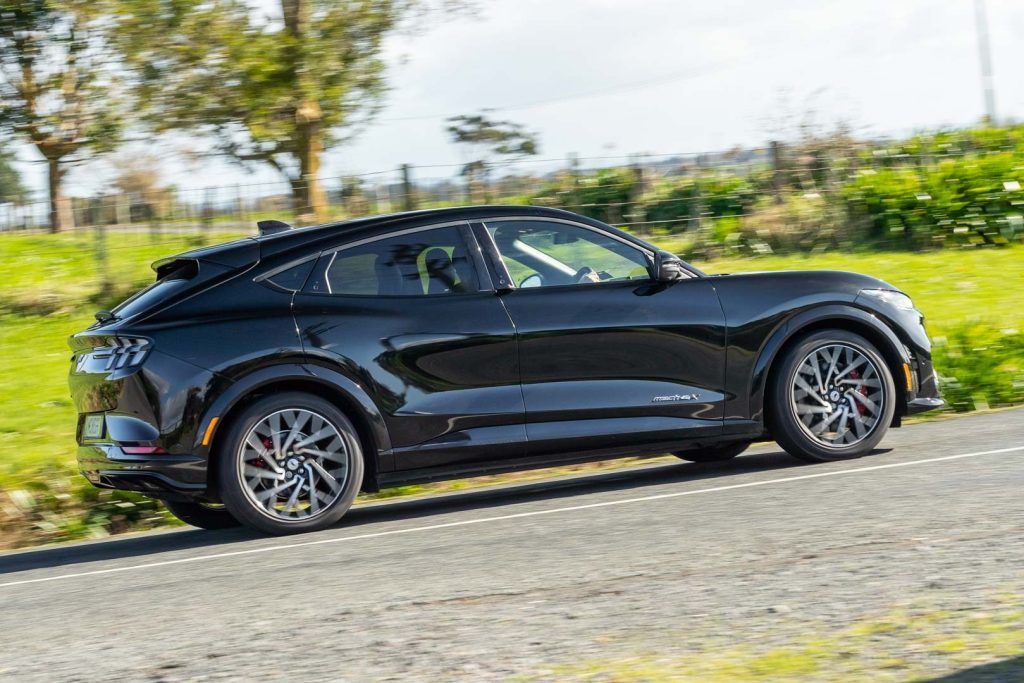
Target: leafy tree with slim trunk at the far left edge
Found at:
58, 87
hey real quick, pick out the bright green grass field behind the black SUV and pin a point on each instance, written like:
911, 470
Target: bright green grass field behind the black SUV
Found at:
972, 301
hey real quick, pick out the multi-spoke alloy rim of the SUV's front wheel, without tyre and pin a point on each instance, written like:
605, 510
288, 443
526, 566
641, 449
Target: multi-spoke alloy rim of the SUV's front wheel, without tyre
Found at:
838, 396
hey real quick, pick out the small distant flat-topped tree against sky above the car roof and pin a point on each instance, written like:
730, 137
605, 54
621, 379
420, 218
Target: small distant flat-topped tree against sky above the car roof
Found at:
488, 140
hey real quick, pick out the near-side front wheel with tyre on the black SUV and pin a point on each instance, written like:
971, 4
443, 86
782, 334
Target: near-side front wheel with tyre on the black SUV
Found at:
833, 398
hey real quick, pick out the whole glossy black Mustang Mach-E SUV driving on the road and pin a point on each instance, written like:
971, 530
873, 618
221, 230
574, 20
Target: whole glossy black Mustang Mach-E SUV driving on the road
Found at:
269, 380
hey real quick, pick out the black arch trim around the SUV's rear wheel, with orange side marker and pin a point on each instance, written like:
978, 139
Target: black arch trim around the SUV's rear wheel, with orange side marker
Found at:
334, 388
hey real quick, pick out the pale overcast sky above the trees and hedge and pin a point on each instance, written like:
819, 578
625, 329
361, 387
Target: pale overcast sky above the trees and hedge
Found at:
618, 77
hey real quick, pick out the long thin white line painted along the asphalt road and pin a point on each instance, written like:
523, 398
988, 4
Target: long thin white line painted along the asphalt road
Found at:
518, 516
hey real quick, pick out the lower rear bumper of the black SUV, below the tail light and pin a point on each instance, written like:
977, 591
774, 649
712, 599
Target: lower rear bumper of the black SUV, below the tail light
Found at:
164, 476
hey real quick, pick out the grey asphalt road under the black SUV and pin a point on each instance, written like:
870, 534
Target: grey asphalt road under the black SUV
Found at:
496, 583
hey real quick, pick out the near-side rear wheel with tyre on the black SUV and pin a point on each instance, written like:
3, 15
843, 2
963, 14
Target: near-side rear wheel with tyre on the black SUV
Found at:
290, 463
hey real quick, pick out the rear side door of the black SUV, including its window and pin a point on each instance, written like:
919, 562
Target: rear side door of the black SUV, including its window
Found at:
412, 318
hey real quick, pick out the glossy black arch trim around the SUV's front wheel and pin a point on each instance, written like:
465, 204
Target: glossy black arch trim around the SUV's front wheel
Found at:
845, 318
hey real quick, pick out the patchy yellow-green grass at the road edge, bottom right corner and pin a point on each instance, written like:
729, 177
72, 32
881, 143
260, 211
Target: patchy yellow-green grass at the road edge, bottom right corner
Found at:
916, 643
